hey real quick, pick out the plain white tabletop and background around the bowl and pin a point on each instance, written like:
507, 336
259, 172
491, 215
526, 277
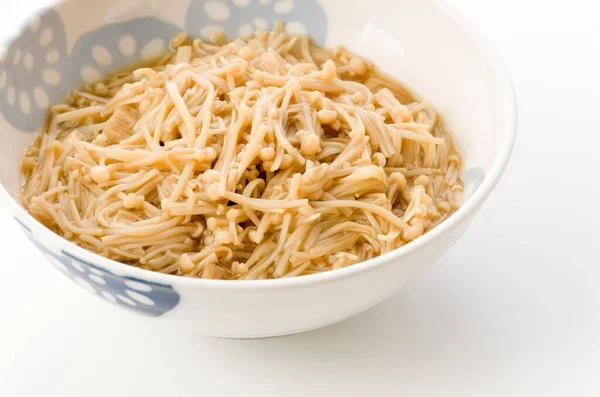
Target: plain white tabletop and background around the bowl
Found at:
512, 310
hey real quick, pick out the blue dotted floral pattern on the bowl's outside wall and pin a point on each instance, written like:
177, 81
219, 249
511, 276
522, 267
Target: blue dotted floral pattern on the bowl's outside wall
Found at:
140, 296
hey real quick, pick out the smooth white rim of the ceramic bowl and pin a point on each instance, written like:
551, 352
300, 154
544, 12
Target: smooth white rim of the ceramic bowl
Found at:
462, 215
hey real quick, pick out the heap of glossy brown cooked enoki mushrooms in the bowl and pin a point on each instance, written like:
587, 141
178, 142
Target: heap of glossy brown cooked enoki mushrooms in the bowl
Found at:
264, 157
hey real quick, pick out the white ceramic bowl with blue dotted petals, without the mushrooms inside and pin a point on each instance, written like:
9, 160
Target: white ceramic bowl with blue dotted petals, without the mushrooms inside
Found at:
420, 42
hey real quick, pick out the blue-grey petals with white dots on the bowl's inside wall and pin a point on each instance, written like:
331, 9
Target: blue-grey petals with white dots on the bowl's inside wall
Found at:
37, 69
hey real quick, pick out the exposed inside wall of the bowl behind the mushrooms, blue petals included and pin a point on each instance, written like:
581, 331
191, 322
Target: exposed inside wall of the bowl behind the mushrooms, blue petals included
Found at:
418, 42
